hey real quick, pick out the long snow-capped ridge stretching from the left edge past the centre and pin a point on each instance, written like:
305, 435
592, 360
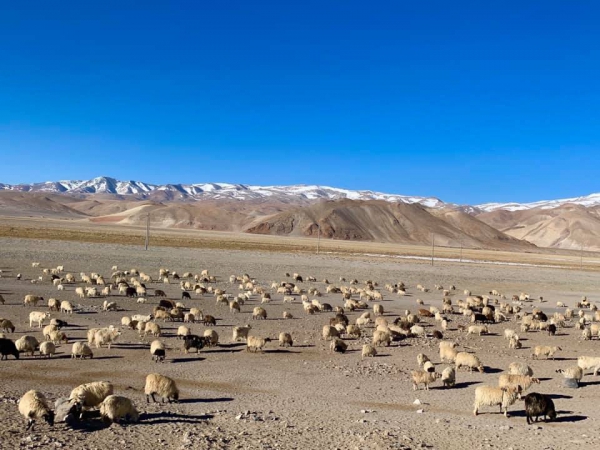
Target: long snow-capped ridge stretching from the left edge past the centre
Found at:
107, 185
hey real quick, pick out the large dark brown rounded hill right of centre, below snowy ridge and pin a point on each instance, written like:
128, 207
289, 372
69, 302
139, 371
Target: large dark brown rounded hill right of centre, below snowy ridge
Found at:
385, 222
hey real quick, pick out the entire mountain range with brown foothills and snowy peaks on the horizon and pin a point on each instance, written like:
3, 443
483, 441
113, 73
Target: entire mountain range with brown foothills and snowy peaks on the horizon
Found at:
300, 210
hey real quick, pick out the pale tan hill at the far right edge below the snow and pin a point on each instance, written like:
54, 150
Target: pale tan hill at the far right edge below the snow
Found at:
568, 226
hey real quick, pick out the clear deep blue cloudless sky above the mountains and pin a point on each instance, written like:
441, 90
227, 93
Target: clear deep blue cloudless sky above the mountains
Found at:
466, 101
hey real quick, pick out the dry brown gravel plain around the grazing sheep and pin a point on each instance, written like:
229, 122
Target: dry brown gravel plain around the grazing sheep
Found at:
300, 397
